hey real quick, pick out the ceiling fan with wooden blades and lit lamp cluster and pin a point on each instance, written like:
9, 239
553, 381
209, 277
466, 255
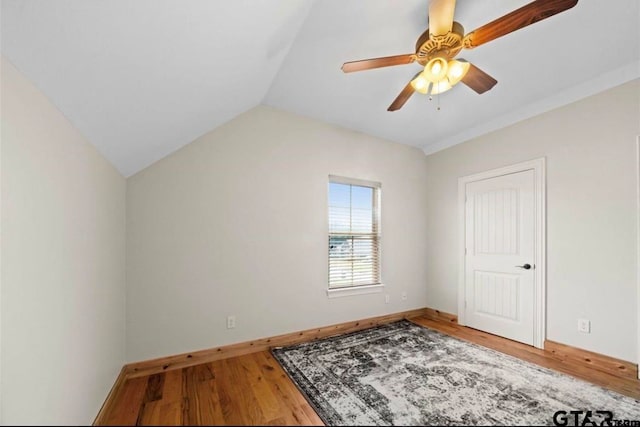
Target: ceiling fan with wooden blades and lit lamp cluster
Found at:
445, 38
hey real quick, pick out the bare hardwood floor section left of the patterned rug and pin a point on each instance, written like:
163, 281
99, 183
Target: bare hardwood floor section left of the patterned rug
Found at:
244, 390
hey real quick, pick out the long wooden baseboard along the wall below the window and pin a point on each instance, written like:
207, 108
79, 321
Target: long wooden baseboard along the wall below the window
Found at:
164, 364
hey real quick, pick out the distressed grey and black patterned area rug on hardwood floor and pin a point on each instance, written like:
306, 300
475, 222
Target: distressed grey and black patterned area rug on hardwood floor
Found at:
405, 374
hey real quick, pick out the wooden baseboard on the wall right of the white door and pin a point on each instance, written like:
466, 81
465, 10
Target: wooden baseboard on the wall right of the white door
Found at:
597, 361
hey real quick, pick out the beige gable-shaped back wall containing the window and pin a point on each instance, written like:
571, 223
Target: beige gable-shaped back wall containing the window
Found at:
236, 224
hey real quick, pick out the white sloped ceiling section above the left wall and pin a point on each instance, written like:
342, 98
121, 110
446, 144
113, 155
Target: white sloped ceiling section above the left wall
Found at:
141, 78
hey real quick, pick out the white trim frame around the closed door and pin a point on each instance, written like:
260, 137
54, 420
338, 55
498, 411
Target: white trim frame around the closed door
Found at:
540, 281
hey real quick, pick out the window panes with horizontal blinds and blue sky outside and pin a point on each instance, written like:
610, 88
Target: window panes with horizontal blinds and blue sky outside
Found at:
354, 233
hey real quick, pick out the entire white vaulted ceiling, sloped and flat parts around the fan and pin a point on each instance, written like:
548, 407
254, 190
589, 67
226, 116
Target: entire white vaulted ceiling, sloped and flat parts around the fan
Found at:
141, 78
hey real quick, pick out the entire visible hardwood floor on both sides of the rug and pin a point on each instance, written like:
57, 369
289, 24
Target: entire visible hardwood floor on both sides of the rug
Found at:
254, 390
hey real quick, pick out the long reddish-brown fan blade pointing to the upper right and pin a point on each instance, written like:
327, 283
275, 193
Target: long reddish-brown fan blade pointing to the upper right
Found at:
519, 18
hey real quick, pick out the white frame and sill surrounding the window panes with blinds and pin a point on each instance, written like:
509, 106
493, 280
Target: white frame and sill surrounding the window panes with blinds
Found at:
377, 221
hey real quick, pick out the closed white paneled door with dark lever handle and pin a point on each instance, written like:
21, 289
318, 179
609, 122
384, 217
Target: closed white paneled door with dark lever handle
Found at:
500, 253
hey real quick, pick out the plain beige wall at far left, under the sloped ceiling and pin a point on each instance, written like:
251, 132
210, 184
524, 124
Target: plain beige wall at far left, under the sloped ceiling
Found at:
63, 276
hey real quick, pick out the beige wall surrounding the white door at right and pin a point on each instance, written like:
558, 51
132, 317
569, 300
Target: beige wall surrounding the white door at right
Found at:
591, 214
